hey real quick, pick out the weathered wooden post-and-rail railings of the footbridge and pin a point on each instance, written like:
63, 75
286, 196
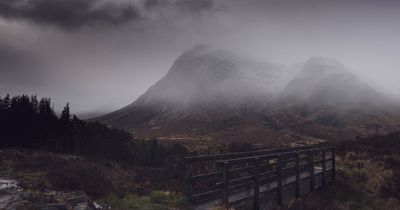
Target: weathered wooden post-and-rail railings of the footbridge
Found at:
262, 169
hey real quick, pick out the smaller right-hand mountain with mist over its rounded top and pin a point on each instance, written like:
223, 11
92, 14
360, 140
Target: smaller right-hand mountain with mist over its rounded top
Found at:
331, 102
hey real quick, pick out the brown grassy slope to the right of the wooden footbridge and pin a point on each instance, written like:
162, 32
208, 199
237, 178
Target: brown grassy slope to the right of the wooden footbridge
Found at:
367, 176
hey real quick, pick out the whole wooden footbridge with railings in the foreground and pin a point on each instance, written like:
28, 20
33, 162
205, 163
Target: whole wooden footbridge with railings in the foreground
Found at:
258, 179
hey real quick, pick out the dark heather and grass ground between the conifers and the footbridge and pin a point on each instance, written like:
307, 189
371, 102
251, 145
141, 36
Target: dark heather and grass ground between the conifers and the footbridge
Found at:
108, 183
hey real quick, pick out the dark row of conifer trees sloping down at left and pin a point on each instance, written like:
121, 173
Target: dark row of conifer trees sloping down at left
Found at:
30, 122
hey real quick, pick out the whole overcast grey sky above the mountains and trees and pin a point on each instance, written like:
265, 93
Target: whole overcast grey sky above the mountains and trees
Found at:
100, 55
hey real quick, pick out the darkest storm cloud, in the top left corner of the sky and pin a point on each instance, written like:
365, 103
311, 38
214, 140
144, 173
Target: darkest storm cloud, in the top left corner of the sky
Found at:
69, 14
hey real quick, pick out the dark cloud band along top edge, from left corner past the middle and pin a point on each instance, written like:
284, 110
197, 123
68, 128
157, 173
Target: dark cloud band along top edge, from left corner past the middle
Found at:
74, 14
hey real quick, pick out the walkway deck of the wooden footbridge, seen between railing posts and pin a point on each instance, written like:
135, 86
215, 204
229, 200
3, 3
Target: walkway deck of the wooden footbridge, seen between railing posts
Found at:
263, 188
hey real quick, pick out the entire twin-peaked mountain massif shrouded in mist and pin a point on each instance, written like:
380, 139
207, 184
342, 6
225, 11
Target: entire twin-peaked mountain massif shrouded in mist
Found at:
215, 94
